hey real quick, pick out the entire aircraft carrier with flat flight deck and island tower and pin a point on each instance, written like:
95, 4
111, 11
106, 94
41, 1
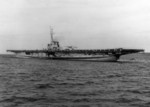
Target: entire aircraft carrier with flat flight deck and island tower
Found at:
55, 52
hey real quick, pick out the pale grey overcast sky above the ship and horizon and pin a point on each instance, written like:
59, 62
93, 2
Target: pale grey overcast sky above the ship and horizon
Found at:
24, 24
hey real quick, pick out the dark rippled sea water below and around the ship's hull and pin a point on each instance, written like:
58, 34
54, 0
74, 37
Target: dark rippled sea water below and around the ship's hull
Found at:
51, 83
